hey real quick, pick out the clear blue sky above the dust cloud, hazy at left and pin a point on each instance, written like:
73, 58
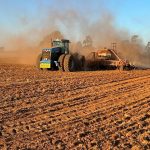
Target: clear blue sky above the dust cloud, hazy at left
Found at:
20, 16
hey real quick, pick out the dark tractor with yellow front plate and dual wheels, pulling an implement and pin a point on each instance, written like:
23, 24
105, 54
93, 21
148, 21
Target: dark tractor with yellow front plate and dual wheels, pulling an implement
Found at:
59, 58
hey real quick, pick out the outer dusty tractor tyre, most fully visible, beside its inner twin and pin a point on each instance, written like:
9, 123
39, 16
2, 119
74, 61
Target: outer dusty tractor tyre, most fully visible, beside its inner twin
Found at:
69, 63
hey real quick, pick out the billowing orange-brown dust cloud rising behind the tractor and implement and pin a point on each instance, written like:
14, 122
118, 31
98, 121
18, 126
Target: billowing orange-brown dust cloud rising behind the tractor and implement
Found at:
25, 47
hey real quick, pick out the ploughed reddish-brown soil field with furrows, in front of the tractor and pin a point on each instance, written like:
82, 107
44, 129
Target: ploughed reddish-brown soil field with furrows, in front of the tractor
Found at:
42, 110
